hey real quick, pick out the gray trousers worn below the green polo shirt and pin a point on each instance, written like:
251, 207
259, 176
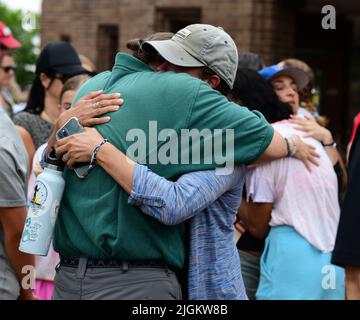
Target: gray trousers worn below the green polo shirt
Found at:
122, 283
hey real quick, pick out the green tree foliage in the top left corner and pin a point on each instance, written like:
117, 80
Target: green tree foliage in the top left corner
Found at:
26, 55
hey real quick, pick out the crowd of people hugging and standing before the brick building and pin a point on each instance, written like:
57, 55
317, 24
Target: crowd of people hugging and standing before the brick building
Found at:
272, 228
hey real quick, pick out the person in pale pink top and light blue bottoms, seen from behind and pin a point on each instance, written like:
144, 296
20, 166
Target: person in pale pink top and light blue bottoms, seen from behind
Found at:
297, 211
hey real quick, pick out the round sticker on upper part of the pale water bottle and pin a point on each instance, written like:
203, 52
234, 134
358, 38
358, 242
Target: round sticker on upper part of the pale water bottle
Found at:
41, 200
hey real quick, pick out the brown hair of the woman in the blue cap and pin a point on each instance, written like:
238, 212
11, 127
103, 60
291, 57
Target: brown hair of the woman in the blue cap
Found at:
306, 95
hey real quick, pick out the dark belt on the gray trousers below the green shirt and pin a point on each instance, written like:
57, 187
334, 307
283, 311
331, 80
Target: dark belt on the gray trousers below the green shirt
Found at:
73, 262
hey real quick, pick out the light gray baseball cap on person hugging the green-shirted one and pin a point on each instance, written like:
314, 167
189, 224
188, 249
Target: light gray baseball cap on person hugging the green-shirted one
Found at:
201, 45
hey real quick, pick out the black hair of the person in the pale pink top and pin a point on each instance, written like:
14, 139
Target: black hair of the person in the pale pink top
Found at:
254, 92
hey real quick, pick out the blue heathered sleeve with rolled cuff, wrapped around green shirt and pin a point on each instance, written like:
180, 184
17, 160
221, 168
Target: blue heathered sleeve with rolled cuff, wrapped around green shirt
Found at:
174, 202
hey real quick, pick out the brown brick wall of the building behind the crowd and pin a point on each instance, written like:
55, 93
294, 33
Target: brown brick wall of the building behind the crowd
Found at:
261, 26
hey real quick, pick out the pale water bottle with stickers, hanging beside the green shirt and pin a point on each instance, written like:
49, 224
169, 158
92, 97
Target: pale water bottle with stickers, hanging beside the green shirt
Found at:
43, 209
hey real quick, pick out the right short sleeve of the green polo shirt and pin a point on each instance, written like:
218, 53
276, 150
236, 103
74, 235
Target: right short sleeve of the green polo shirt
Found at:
252, 133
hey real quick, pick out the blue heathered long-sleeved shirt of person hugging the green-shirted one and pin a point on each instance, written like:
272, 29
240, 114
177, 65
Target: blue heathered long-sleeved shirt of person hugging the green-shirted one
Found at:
210, 201
